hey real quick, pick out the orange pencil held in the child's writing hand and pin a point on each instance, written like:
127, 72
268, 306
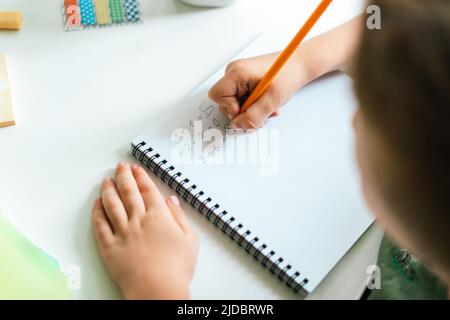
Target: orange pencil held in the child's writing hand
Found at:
267, 79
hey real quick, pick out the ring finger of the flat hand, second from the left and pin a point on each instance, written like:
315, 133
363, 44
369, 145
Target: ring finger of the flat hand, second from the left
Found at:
114, 207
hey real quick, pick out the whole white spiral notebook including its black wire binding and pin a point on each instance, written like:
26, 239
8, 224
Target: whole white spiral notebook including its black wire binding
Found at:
296, 207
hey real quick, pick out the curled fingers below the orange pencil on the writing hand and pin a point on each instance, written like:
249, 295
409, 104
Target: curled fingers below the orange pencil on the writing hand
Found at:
258, 113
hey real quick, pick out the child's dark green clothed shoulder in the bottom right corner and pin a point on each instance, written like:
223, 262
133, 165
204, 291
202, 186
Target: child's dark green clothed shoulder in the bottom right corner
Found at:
403, 276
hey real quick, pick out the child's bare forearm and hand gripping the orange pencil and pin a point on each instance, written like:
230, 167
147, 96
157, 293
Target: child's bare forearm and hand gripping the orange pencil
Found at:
328, 52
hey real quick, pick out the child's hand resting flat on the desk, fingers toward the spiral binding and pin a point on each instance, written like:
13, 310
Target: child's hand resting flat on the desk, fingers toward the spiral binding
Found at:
145, 241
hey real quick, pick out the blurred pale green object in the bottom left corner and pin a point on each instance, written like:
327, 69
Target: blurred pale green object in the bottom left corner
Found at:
26, 272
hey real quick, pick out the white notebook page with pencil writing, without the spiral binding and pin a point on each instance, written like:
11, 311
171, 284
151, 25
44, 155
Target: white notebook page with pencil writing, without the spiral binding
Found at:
307, 204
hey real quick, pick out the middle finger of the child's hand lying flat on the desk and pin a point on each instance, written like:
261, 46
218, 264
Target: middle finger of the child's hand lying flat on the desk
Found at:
129, 191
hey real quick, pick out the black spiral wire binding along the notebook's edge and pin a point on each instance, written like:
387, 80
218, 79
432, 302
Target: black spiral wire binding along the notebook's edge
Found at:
221, 219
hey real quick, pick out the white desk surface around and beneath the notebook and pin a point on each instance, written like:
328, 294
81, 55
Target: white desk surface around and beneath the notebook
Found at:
81, 97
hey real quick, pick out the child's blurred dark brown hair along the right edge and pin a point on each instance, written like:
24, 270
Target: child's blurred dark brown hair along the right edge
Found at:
402, 81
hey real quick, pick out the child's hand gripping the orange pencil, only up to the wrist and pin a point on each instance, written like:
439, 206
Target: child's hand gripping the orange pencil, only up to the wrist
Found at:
240, 79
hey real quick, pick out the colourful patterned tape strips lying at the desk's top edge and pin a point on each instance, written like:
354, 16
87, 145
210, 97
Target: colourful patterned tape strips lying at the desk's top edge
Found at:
88, 13
